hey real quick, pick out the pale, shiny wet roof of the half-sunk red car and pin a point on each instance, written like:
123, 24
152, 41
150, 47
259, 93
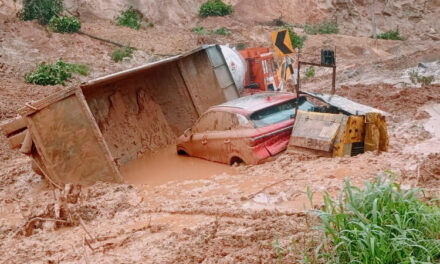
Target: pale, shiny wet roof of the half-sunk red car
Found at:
249, 104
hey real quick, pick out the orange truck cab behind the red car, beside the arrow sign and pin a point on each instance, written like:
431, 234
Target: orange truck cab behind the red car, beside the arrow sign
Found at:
261, 71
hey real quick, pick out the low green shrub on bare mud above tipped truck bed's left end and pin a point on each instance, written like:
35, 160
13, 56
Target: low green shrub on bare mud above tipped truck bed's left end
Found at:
56, 73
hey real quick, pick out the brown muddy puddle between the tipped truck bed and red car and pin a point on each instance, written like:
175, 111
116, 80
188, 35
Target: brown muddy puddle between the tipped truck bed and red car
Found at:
165, 165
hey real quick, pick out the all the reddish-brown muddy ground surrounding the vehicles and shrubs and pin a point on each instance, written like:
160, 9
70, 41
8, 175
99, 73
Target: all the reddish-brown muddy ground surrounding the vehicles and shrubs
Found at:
198, 211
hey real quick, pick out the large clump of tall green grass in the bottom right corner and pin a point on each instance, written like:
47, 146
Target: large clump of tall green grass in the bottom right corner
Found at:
381, 224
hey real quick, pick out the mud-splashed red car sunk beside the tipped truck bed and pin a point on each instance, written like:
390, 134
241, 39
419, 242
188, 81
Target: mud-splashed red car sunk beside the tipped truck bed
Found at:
248, 129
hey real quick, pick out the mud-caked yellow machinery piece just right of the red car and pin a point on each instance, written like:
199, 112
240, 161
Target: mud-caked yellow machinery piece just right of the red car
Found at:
338, 134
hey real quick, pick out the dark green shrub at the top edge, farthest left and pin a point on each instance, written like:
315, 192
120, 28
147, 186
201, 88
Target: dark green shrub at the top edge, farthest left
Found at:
42, 10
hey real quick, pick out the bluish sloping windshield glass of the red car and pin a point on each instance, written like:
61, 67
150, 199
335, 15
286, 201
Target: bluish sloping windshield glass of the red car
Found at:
279, 113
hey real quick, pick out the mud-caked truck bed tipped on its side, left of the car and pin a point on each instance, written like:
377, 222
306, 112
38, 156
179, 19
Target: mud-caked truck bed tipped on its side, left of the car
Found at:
85, 134
